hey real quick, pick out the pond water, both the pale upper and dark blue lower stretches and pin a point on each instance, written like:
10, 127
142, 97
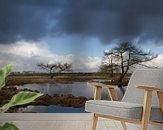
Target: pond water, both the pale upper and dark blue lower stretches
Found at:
75, 89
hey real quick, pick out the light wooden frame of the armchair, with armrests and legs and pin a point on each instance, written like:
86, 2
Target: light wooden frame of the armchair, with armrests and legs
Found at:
145, 121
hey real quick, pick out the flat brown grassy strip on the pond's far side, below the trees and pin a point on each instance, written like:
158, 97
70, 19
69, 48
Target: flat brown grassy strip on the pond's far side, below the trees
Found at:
20, 79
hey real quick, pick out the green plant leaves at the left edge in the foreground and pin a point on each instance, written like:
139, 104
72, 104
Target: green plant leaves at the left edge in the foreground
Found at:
20, 98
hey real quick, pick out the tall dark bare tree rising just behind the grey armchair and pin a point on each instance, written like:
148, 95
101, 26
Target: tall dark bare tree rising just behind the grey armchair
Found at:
125, 56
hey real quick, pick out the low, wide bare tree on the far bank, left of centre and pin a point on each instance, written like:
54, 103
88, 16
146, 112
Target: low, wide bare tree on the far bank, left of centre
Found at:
56, 68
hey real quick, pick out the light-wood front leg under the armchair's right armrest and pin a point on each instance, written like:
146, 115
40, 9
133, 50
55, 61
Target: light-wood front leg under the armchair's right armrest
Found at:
146, 110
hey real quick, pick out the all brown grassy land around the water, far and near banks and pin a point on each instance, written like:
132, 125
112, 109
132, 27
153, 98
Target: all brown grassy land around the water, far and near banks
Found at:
56, 99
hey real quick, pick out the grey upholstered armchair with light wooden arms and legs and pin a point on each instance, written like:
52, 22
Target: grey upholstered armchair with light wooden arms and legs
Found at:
142, 103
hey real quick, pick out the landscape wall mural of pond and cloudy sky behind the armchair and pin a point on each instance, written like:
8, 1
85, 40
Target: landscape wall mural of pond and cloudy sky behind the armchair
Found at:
54, 54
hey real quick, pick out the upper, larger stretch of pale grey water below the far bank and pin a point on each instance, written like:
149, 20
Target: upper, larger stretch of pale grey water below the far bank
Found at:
76, 89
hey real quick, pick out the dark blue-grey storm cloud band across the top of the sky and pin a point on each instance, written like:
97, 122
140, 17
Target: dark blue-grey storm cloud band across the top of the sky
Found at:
105, 19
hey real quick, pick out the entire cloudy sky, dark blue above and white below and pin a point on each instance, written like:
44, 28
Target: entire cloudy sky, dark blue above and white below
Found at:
77, 31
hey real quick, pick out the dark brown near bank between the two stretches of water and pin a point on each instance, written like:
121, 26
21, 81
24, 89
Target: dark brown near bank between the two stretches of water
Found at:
45, 100
